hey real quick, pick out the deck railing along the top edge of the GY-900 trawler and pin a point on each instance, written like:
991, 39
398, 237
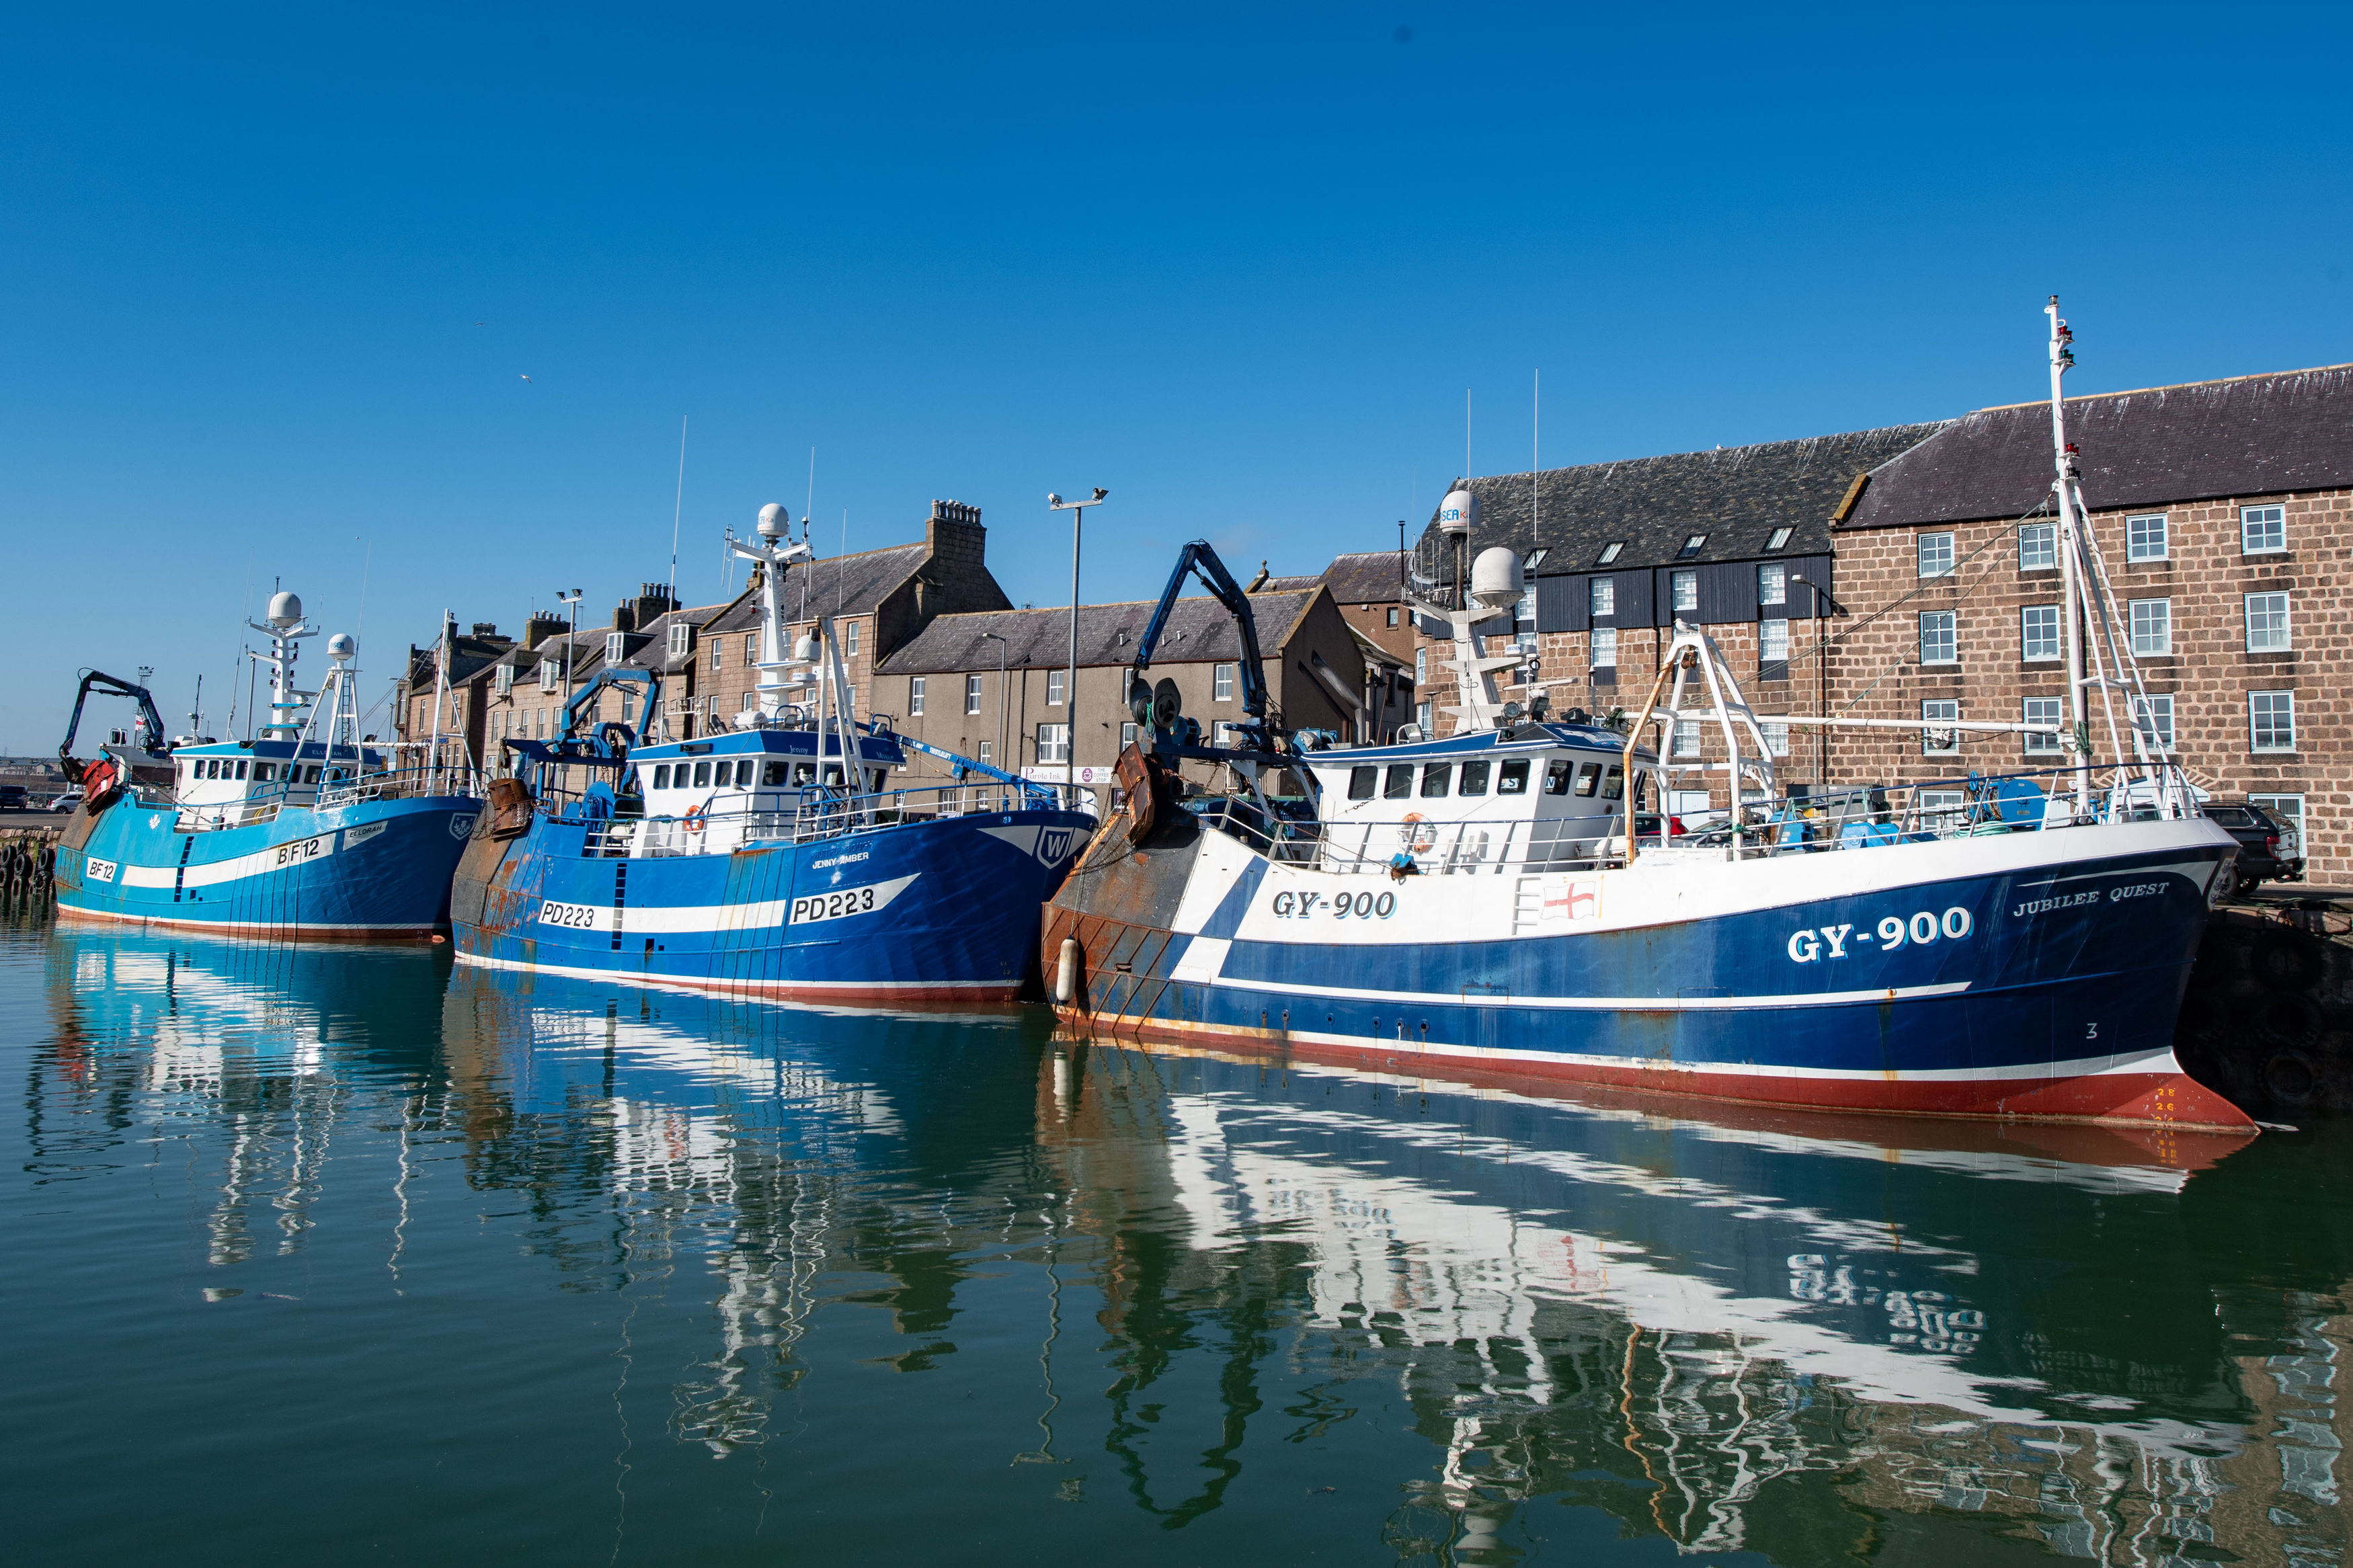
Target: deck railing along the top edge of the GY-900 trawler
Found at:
1867, 817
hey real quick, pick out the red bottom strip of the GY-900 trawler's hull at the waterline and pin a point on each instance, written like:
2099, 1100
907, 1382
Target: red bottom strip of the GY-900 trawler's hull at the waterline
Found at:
2124, 1099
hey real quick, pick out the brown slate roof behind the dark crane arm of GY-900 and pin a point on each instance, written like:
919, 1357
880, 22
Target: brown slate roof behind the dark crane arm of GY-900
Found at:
1199, 629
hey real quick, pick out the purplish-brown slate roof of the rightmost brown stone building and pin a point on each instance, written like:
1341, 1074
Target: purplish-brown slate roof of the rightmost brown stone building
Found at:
2248, 436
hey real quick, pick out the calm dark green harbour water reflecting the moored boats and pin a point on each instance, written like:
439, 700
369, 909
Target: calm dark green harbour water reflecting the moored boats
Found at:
342, 1254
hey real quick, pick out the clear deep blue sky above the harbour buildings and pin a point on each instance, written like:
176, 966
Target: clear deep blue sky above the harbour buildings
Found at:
272, 281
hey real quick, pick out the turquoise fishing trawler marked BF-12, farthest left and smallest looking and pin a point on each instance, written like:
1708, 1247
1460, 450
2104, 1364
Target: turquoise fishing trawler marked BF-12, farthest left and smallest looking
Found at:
307, 831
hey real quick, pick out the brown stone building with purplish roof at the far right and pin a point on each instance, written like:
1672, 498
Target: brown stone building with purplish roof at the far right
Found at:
2225, 511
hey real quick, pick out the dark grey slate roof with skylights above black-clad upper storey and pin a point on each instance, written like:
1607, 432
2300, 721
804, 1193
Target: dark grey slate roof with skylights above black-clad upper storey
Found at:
1735, 495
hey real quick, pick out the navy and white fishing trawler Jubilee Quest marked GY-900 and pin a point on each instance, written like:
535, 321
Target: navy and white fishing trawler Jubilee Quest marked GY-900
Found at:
1502, 902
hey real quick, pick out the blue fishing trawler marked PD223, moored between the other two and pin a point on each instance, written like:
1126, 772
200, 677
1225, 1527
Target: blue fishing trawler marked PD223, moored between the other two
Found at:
768, 859
